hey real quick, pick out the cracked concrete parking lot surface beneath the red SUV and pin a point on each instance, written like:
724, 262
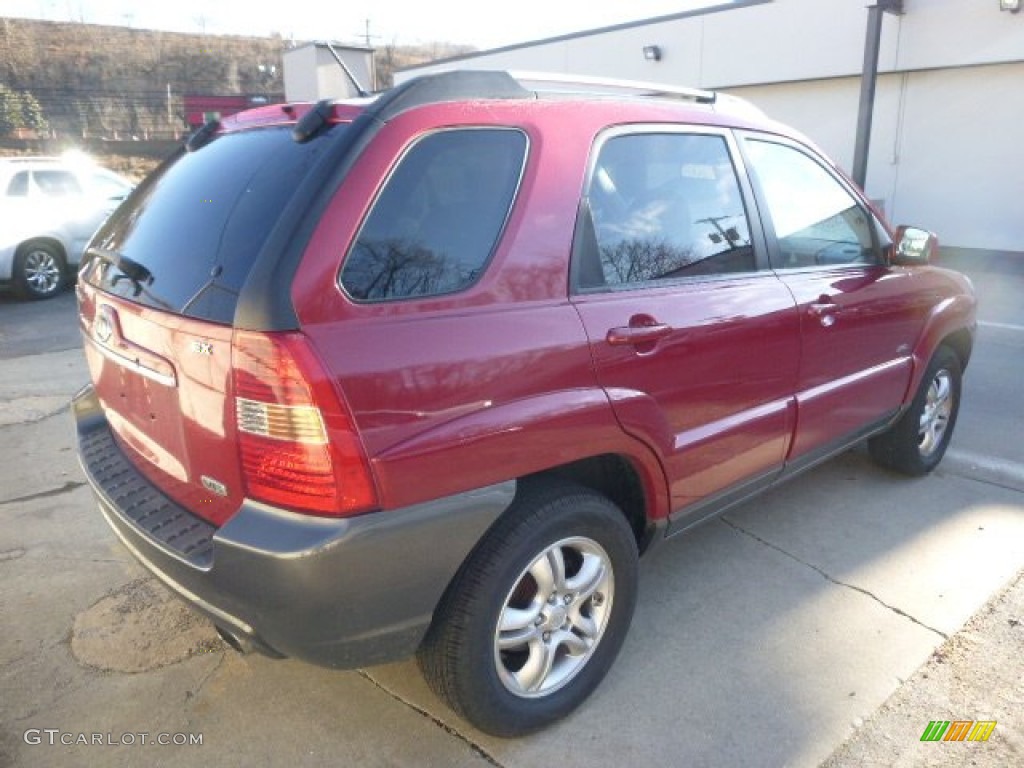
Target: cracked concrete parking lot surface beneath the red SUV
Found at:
793, 631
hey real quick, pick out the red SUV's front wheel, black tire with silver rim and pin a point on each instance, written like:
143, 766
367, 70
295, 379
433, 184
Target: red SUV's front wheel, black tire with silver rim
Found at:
918, 442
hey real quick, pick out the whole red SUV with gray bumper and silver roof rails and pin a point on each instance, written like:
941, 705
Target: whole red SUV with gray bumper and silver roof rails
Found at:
425, 373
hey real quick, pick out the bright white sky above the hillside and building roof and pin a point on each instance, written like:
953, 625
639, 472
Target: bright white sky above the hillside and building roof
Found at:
486, 25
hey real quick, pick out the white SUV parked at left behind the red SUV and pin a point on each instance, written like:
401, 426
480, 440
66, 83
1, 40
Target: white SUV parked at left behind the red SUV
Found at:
50, 208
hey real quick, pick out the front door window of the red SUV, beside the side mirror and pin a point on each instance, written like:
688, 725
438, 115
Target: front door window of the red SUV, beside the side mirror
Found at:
817, 221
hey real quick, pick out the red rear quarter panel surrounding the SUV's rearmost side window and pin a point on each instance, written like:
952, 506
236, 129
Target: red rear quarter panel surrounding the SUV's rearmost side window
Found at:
529, 365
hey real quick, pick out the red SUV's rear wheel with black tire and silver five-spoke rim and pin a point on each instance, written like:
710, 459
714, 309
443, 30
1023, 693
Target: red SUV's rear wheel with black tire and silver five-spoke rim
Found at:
460, 656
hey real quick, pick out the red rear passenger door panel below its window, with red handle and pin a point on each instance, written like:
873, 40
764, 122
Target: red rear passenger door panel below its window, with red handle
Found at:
715, 396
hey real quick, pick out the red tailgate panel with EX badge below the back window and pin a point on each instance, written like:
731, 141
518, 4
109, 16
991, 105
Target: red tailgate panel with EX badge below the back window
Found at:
178, 432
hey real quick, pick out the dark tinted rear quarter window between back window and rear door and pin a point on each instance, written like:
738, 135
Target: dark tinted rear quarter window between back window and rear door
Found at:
437, 222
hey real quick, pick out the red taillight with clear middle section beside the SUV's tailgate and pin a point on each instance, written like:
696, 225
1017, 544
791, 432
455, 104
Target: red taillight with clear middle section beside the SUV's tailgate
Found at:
298, 443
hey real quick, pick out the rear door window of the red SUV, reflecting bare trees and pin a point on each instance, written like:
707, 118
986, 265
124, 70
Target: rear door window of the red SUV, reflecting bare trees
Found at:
664, 206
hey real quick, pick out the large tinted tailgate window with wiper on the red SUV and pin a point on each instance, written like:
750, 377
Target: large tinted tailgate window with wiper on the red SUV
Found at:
189, 237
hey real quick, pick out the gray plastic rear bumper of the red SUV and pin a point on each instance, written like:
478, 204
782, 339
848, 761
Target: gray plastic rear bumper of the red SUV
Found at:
340, 592
